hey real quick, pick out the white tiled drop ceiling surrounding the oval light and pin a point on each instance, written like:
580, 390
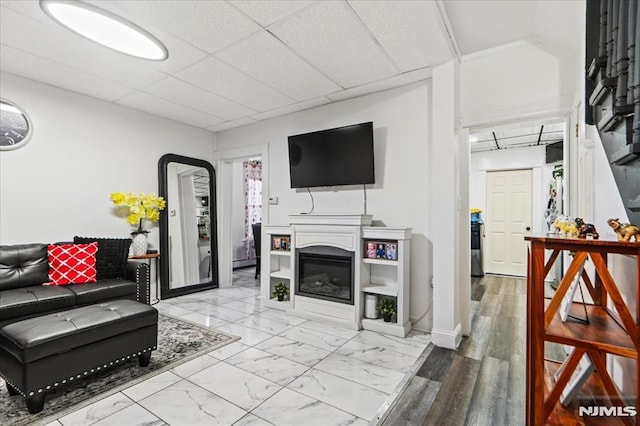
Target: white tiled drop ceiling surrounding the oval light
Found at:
235, 62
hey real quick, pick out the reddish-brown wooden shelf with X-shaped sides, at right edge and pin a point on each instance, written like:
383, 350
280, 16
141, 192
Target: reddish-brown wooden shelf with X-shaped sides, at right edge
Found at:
611, 329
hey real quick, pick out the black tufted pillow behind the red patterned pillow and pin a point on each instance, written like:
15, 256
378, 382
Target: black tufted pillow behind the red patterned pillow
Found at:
113, 254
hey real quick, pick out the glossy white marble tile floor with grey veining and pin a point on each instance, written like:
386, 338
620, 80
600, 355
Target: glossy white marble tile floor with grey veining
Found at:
285, 370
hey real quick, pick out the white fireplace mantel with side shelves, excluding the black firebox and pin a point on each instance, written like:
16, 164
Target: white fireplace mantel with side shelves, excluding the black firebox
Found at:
370, 276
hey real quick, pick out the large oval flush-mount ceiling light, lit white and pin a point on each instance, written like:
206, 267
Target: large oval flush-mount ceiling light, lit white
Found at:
105, 28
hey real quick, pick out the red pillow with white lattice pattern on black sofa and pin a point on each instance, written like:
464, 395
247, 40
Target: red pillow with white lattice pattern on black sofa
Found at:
72, 263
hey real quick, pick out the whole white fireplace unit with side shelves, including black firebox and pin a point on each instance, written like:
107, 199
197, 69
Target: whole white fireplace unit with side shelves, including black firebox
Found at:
332, 249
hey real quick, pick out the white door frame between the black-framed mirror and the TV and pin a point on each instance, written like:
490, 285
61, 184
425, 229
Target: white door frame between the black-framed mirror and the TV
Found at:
224, 161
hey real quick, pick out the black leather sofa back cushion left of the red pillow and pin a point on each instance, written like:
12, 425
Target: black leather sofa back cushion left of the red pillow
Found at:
23, 265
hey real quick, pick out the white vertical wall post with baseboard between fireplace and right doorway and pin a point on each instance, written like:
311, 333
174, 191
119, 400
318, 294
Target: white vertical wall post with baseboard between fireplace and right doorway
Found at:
448, 170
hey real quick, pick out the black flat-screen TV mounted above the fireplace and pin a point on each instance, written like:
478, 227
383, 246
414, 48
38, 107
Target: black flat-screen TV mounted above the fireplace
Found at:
340, 156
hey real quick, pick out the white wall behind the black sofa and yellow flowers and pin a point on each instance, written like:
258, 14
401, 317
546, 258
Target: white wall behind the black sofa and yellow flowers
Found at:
82, 149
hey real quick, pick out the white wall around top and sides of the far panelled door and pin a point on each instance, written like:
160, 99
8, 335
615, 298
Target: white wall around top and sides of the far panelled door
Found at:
513, 159
